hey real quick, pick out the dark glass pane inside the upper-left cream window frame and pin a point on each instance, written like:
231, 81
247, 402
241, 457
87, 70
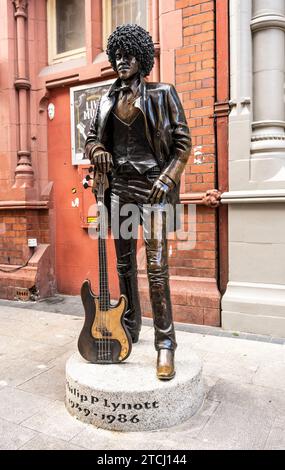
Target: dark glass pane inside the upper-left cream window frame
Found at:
70, 25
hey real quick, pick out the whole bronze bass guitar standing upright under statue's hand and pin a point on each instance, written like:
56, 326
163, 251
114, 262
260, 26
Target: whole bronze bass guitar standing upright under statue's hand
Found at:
104, 338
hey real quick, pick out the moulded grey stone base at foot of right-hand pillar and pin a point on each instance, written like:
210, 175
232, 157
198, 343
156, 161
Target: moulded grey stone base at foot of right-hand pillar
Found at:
254, 308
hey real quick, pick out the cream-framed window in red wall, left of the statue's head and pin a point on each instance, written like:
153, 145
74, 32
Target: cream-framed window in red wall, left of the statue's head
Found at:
66, 21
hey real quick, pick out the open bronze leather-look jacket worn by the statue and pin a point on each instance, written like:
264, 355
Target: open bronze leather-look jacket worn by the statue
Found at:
165, 125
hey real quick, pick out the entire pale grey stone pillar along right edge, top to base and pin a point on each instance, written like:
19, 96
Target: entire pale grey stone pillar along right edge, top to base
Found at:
255, 297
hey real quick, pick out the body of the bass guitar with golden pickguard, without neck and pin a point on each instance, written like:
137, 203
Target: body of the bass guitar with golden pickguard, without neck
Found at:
104, 338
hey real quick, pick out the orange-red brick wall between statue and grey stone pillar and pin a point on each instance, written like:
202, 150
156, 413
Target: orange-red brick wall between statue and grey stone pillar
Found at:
195, 81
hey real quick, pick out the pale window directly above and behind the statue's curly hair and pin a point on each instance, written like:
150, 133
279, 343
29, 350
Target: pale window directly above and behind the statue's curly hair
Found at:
118, 12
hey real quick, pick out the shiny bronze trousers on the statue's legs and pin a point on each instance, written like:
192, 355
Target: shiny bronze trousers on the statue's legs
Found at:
130, 187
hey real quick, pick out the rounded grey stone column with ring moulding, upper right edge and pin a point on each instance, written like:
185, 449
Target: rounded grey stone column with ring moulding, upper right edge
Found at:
268, 138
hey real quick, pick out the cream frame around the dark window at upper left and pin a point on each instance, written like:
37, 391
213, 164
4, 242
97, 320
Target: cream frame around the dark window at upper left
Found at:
53, 56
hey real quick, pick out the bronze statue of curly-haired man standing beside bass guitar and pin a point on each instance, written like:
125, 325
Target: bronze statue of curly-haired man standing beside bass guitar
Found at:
140, 138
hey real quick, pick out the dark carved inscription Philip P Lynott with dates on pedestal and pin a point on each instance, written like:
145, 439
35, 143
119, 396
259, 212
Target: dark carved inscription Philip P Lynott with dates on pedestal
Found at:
82, 402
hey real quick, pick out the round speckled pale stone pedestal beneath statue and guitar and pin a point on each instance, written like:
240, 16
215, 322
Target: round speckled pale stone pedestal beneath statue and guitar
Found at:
128, 396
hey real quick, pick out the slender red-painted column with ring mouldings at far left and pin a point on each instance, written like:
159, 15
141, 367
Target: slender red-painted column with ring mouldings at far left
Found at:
24, 175
